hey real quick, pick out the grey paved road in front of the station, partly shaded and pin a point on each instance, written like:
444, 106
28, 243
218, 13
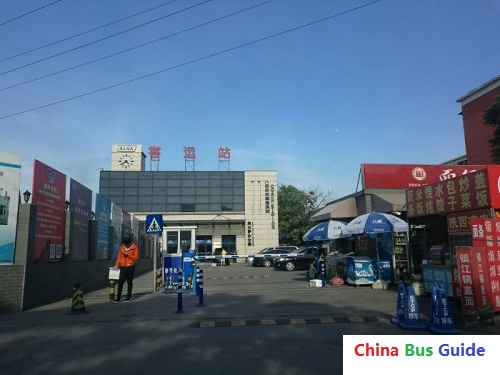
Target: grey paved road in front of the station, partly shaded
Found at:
255, 321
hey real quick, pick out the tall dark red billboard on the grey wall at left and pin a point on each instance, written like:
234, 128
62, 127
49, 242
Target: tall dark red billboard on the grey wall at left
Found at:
49, 192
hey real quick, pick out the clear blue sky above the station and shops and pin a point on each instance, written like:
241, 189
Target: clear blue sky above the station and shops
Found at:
377, 84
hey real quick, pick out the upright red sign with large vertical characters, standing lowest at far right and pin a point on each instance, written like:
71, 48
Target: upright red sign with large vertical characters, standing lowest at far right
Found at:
472, 270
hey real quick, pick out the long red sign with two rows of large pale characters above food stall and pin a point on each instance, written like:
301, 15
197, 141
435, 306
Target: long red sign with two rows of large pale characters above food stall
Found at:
472, 191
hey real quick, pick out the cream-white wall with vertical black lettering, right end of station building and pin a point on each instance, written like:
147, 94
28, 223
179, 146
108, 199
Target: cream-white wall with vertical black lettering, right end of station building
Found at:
261, 210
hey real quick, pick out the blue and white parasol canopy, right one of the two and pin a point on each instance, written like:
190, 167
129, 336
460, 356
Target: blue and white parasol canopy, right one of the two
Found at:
376, 222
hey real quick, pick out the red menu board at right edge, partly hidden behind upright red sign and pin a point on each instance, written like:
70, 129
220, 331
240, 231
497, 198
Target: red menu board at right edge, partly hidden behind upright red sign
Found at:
486, 234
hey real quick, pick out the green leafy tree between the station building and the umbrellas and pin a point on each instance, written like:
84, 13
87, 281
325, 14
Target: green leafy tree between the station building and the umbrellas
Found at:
295, 210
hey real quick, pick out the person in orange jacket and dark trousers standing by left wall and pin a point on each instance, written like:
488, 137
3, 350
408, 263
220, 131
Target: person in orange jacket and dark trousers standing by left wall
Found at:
128, 254
